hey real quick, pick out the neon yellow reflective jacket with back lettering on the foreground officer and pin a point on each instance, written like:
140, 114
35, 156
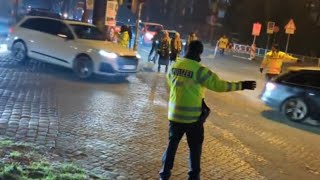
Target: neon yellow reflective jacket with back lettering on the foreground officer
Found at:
188, 80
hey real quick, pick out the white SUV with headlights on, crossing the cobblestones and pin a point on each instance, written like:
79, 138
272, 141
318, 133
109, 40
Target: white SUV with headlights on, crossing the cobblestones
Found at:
71, 44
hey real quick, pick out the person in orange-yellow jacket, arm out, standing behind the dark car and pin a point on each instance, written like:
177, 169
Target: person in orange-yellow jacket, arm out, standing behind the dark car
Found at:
274, 60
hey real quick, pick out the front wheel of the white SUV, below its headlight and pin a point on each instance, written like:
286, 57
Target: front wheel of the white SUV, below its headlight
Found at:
83, 67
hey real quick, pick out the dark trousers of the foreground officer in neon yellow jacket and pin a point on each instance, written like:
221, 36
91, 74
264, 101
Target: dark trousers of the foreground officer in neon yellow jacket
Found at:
195, 136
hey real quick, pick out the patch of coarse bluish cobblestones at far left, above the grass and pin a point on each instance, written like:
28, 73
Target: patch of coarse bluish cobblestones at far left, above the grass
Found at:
27, 103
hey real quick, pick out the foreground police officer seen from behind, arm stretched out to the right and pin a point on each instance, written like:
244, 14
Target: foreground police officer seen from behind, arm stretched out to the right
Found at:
187, 110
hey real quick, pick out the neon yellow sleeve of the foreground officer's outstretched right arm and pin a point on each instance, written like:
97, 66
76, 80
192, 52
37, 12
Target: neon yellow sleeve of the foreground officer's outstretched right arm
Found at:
211, 81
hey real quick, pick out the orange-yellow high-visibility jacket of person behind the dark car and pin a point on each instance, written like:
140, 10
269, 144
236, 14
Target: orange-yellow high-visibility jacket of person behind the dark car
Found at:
273, 61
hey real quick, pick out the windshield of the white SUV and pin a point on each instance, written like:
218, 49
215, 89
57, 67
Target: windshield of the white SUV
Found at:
88, 32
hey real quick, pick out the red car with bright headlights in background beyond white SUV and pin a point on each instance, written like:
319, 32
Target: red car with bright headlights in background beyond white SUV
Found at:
148, 30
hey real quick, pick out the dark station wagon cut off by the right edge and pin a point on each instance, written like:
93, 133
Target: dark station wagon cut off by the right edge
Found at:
295, 93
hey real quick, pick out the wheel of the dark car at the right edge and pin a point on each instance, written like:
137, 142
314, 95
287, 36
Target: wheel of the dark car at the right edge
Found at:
295, 109
